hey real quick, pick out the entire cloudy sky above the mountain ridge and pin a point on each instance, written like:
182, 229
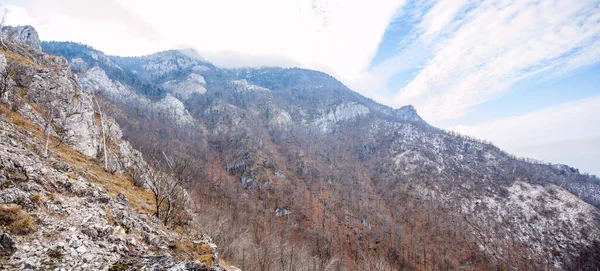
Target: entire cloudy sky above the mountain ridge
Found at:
523, 74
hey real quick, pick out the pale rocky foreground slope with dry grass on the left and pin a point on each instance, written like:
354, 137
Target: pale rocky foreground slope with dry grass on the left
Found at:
67, 200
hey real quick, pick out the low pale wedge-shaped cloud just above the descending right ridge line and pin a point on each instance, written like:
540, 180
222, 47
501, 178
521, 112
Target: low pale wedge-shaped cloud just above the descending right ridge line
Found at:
565, 133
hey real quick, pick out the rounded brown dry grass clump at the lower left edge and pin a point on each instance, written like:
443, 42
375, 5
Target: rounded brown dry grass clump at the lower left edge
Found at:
15, 220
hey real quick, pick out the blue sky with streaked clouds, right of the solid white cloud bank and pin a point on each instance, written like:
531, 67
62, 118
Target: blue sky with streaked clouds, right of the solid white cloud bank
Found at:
522, 74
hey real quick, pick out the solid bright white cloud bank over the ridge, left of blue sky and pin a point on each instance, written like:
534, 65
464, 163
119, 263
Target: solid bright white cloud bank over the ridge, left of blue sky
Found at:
336, 36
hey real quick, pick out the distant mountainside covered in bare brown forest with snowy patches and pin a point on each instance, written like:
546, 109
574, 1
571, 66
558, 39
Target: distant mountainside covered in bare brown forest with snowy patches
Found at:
348, 178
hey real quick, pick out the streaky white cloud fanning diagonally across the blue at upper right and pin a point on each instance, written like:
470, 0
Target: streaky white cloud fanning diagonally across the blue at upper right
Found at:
479, 50
